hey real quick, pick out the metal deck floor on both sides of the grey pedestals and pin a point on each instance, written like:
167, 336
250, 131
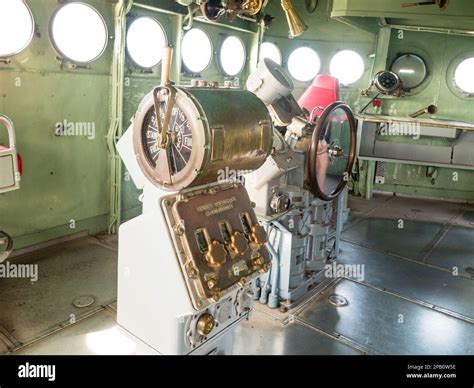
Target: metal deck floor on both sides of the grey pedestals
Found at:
409, 301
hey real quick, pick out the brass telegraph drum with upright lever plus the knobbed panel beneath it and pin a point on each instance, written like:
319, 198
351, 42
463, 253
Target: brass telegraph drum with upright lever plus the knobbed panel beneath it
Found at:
183, 138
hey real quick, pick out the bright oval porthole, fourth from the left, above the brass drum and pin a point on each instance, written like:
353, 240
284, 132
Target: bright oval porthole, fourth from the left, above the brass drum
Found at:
196, 50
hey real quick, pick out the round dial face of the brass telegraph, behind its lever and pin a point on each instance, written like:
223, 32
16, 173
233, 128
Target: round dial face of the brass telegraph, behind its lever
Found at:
181, 140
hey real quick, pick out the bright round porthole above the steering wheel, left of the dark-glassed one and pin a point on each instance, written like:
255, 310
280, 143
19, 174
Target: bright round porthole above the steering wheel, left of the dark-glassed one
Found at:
347, 66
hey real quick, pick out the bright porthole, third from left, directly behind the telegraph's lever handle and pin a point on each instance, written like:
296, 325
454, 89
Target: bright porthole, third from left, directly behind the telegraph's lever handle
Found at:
138, 37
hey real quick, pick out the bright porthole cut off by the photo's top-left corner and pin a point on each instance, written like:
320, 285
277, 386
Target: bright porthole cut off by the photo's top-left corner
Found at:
16, 27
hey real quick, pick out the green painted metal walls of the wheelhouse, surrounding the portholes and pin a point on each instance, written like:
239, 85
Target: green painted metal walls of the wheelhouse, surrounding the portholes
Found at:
76, 184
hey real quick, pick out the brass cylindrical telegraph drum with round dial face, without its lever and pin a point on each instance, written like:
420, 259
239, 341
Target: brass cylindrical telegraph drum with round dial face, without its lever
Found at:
219, 131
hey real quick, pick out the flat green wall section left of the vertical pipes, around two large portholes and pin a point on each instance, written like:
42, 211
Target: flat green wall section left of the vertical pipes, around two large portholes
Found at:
64, 189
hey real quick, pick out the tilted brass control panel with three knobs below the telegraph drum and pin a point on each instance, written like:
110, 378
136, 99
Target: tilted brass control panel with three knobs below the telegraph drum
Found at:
218, 240
